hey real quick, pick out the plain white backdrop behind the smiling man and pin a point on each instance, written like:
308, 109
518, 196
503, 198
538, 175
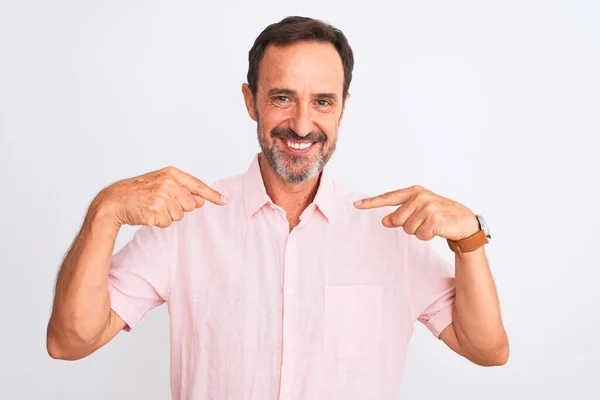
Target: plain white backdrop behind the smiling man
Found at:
494, 104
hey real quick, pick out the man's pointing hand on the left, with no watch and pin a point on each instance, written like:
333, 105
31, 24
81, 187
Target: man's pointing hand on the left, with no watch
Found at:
157, 198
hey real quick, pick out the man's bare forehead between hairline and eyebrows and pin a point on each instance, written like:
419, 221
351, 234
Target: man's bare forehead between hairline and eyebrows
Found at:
302, 66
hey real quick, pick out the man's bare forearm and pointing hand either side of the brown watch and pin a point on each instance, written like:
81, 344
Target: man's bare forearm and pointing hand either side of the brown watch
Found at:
477, 331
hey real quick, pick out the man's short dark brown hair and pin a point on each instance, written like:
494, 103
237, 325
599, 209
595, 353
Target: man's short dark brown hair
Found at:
295, 29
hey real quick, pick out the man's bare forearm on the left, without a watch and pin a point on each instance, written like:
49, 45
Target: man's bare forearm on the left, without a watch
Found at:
81, 309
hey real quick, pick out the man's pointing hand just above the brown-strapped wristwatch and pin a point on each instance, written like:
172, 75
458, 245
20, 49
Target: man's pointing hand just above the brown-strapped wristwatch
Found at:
424, 214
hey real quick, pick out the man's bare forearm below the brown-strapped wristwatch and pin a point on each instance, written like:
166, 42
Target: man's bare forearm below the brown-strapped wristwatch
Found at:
477, 317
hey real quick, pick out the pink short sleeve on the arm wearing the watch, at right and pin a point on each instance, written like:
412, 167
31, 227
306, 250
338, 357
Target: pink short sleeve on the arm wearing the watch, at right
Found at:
432, 285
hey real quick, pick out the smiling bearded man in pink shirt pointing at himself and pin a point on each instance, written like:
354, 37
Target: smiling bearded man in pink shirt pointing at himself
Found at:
281, 283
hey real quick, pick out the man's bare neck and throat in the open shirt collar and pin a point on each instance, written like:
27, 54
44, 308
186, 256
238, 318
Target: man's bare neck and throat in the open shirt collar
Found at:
292, 197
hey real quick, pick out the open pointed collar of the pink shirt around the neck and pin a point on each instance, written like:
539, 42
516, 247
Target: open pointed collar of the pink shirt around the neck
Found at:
256, 197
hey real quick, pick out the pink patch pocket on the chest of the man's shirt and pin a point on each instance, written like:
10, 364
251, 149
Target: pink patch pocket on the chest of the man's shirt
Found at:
352, 320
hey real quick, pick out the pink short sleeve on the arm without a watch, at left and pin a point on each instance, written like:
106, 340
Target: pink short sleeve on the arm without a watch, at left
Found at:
138, 278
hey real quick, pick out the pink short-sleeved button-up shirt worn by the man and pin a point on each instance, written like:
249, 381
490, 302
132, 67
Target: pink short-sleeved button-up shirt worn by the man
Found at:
257, 312
